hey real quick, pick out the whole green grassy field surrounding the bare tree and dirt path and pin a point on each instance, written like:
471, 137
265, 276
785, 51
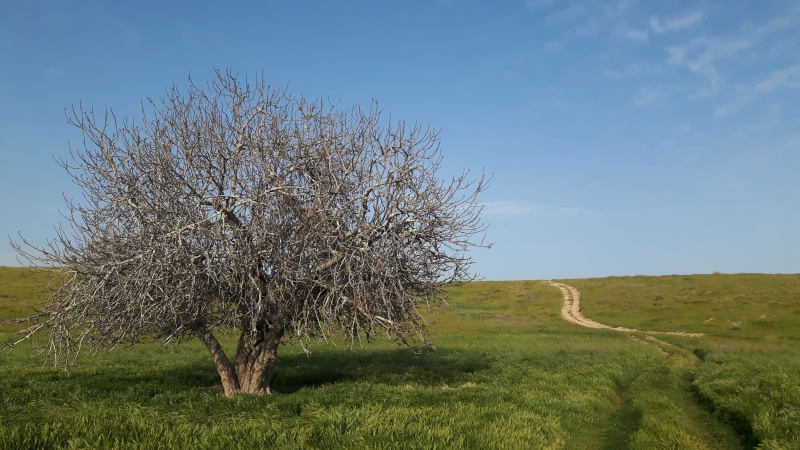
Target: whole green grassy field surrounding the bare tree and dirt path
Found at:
508, 372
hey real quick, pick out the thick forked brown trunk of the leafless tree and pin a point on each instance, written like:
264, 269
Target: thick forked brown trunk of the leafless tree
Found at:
251, 372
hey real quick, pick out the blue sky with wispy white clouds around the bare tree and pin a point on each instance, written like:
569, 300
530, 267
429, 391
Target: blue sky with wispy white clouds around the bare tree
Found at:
625, 137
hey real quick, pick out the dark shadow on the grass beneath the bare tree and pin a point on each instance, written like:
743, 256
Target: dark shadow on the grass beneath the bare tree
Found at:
148, 378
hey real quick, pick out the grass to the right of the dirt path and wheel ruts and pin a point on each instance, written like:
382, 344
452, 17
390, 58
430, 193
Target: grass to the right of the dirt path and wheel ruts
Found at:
748, 365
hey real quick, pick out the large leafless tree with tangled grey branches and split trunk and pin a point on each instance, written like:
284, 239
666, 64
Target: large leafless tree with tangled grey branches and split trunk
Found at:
235, 206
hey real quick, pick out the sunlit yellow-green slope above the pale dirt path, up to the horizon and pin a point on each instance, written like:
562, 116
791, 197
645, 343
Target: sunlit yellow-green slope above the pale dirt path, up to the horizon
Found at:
760, 306
